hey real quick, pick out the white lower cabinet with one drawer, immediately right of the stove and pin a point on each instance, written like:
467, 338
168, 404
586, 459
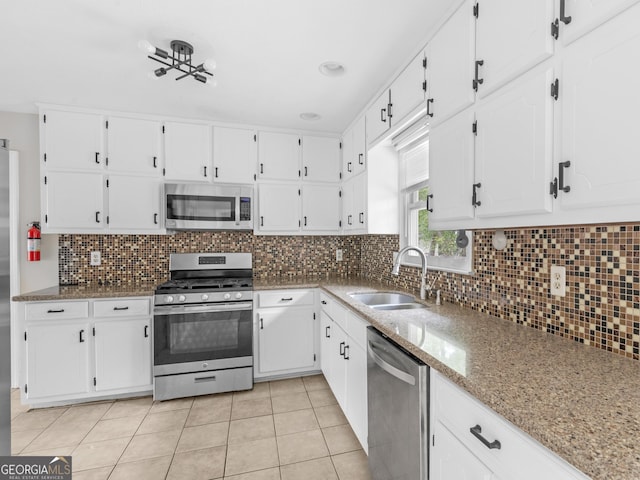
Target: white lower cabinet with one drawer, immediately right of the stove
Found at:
285, 333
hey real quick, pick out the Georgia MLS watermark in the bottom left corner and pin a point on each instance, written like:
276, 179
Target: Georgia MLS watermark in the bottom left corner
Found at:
35, 468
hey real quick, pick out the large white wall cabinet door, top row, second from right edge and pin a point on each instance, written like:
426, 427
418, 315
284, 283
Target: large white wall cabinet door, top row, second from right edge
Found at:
511, 37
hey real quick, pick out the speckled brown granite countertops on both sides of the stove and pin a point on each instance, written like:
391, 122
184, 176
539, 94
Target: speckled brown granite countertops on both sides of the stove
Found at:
580, 402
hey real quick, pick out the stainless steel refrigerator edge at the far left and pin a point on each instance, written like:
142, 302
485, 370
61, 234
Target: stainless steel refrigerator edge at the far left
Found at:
5, 307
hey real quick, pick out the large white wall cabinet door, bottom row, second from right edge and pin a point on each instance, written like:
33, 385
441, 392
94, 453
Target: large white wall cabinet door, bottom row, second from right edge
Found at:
514, 148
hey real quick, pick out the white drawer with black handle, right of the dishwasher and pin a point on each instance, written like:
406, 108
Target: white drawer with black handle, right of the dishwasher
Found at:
517, 453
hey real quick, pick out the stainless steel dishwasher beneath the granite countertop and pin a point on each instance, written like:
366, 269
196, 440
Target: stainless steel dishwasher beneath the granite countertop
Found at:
397, 390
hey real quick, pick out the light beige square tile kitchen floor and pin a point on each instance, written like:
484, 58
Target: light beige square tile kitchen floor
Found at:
282, 430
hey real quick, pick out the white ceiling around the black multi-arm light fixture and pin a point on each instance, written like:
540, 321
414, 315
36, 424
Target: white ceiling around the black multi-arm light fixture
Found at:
85, 53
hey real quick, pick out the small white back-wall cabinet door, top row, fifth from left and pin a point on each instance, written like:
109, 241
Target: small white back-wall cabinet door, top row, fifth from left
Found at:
278, 156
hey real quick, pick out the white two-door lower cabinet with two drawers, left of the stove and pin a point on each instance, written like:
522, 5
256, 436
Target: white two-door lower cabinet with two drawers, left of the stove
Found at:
71, 353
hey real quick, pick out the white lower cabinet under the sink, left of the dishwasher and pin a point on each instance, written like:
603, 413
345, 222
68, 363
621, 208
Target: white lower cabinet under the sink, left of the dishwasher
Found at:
344, 362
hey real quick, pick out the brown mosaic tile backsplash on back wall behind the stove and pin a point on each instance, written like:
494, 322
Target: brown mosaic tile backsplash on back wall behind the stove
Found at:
131, 259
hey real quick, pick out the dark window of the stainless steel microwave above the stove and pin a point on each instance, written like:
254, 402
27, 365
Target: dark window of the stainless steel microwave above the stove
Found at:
201, 208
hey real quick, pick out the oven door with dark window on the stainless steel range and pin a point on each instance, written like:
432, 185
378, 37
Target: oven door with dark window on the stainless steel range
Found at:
190, 337
